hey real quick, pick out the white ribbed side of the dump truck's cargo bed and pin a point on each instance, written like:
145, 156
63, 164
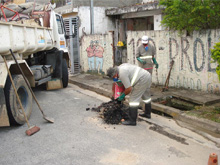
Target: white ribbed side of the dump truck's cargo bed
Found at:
24, 39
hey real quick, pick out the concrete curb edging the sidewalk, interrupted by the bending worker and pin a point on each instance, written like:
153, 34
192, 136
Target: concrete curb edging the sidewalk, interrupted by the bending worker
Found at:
194, 122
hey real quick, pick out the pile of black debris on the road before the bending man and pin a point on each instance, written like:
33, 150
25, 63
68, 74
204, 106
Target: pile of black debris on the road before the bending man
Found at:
112, 112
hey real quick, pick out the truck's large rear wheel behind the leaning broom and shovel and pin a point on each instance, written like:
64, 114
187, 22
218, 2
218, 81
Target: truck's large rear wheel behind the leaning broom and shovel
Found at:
15, 114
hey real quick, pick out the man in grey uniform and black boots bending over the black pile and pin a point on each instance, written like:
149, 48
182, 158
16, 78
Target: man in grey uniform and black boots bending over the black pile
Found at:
137, 83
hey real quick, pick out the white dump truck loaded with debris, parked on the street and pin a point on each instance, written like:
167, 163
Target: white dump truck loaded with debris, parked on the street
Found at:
42, 56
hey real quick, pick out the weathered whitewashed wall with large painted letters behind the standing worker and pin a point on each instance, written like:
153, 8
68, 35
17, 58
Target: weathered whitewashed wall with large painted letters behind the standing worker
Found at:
192, 68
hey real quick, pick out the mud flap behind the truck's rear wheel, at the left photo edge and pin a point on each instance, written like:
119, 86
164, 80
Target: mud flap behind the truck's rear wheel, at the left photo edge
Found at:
4, 120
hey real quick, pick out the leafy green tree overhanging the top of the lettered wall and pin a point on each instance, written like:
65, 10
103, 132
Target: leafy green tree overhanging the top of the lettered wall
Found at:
191, 15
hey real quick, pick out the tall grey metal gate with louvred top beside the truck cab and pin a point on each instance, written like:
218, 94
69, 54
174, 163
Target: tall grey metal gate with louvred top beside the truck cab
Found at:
71, 25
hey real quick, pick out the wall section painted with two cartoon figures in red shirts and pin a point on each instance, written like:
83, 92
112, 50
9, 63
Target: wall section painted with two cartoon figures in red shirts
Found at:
96, 53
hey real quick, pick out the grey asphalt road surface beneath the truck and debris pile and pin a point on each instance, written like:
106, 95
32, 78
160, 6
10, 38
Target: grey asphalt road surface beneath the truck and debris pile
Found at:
79, 137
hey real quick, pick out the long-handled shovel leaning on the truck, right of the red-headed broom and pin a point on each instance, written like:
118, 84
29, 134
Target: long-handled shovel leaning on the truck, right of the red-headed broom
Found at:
50, 120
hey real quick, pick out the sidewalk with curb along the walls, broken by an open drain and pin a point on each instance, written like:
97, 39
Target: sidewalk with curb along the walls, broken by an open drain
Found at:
102, 85
